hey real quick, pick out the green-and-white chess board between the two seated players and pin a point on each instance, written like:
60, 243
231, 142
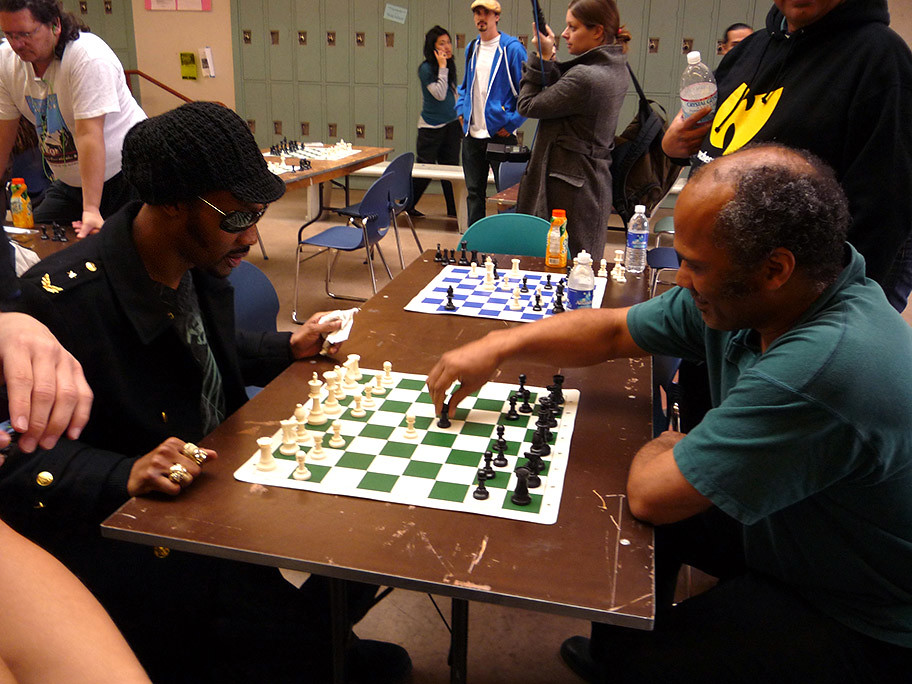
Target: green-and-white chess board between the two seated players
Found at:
437, 468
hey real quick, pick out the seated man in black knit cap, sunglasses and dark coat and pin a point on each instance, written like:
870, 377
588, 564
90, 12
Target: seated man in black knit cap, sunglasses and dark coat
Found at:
145, 306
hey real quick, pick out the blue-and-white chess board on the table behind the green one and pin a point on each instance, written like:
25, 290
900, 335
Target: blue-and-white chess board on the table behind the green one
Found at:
471, 300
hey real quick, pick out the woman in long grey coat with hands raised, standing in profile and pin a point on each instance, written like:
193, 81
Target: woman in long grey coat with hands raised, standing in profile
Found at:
578, 102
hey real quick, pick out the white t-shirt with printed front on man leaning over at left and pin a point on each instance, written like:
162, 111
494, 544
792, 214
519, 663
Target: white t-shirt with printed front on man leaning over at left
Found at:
88, 82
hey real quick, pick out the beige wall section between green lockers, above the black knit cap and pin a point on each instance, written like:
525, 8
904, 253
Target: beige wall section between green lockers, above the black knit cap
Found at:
162, 36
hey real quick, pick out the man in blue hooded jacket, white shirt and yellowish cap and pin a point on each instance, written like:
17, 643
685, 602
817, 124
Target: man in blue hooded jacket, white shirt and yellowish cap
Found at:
486, 100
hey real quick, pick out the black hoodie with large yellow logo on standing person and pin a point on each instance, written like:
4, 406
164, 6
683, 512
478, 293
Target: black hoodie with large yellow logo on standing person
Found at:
841, 88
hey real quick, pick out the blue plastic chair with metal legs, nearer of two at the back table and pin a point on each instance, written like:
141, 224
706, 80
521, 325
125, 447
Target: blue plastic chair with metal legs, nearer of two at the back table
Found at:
372, 226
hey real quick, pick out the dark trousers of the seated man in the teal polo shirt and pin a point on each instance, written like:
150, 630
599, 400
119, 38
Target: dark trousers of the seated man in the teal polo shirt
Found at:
748, 628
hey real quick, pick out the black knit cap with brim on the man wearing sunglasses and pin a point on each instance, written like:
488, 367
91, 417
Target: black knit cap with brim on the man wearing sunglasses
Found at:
197, 148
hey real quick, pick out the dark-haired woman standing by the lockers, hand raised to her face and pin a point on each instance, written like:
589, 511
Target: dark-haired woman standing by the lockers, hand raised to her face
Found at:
439, 133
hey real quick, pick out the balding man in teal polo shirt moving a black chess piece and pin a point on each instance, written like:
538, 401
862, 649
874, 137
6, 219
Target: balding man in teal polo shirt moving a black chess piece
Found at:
796, 489
